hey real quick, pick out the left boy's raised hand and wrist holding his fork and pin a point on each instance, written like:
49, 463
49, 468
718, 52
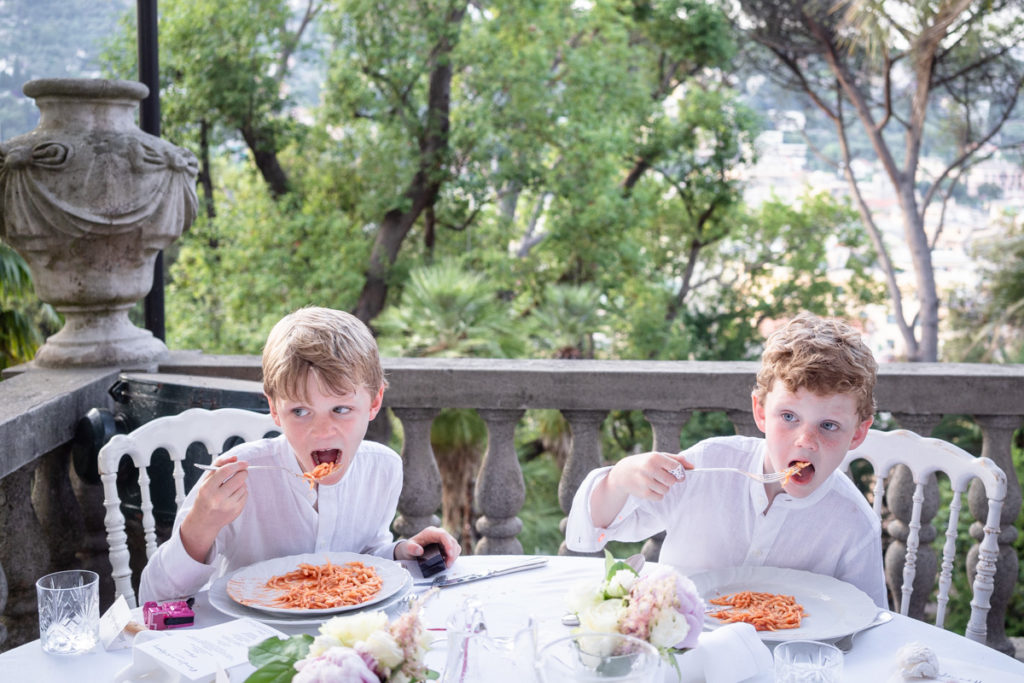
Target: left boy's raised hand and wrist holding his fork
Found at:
221, 499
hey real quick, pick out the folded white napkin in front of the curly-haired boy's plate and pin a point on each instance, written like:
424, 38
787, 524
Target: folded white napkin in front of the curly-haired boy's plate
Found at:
729, 655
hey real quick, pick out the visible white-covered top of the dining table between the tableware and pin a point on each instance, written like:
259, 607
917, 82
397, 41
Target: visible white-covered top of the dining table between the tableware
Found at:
542, 592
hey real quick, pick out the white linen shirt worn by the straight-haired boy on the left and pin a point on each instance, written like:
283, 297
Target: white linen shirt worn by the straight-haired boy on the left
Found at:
284, 517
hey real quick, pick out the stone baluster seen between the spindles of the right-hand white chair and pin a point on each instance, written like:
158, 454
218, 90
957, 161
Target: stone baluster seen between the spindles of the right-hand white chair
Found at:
901, 495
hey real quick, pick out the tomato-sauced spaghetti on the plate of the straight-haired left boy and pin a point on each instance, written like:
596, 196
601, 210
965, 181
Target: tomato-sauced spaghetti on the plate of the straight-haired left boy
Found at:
326, 586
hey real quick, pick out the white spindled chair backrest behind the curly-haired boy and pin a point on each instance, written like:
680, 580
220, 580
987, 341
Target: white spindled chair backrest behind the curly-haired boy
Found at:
925, 457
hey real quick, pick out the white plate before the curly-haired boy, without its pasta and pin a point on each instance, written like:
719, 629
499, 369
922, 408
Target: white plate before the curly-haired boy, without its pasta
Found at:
834, 608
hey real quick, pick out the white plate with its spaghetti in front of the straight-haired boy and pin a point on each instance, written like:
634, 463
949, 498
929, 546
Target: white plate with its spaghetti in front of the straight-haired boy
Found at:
317, 583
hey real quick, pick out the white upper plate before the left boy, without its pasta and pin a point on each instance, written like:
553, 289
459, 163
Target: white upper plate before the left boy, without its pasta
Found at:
248, 585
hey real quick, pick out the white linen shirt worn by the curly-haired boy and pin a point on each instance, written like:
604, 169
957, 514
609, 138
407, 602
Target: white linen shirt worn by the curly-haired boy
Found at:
717, 520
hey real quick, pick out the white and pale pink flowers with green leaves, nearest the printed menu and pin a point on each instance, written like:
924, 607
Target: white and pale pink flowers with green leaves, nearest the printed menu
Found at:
365, 648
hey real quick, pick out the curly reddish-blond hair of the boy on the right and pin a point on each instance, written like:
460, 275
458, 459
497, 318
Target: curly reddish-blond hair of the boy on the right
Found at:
827, 357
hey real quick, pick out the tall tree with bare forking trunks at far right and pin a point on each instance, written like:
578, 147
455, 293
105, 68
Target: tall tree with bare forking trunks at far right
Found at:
878, 67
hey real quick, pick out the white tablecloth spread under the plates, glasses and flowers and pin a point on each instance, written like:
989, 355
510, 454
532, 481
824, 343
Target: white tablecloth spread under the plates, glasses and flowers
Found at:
543, 592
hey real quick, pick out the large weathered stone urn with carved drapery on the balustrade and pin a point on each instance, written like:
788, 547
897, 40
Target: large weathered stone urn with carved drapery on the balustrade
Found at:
89, 200
